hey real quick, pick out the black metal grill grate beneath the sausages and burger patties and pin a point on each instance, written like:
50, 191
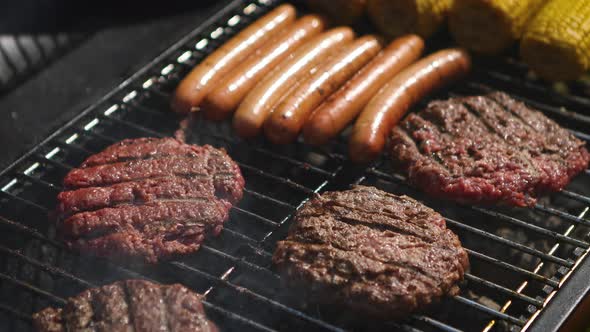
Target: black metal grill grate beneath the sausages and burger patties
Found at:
528, 265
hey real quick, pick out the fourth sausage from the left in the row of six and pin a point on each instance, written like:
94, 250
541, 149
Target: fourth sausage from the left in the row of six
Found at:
285, 122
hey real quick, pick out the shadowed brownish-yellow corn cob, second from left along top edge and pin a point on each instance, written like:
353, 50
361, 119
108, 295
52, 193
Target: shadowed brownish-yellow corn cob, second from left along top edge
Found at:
399, 17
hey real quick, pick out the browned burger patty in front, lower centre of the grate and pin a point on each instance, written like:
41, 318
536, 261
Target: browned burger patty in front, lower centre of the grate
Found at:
375, 253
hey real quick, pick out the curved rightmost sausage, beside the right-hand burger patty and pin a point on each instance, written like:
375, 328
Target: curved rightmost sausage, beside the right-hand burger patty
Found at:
387, 107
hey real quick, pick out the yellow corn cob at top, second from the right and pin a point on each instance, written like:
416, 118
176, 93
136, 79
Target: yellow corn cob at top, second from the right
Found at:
490, 26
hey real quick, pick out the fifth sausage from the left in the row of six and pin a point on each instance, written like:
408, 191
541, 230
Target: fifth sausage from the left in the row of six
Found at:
344, 105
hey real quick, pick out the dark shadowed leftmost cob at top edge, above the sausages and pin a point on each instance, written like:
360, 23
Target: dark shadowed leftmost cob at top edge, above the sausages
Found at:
340, 11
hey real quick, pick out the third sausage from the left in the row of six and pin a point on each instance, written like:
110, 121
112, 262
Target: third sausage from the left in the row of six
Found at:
258, 103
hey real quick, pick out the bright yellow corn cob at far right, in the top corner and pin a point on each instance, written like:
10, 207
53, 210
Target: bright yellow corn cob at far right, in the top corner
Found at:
556, 44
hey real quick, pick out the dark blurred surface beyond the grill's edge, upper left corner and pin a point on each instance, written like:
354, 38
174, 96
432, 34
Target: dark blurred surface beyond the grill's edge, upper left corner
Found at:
56, 57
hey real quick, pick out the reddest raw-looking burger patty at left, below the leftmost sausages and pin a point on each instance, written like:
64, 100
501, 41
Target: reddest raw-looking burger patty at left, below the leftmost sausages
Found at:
149, 198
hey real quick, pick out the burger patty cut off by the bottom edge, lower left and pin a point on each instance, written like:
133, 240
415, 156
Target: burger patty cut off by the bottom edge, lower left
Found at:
126, 306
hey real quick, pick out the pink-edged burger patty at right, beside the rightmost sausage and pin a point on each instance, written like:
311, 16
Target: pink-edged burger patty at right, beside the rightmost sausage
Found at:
486, 149
